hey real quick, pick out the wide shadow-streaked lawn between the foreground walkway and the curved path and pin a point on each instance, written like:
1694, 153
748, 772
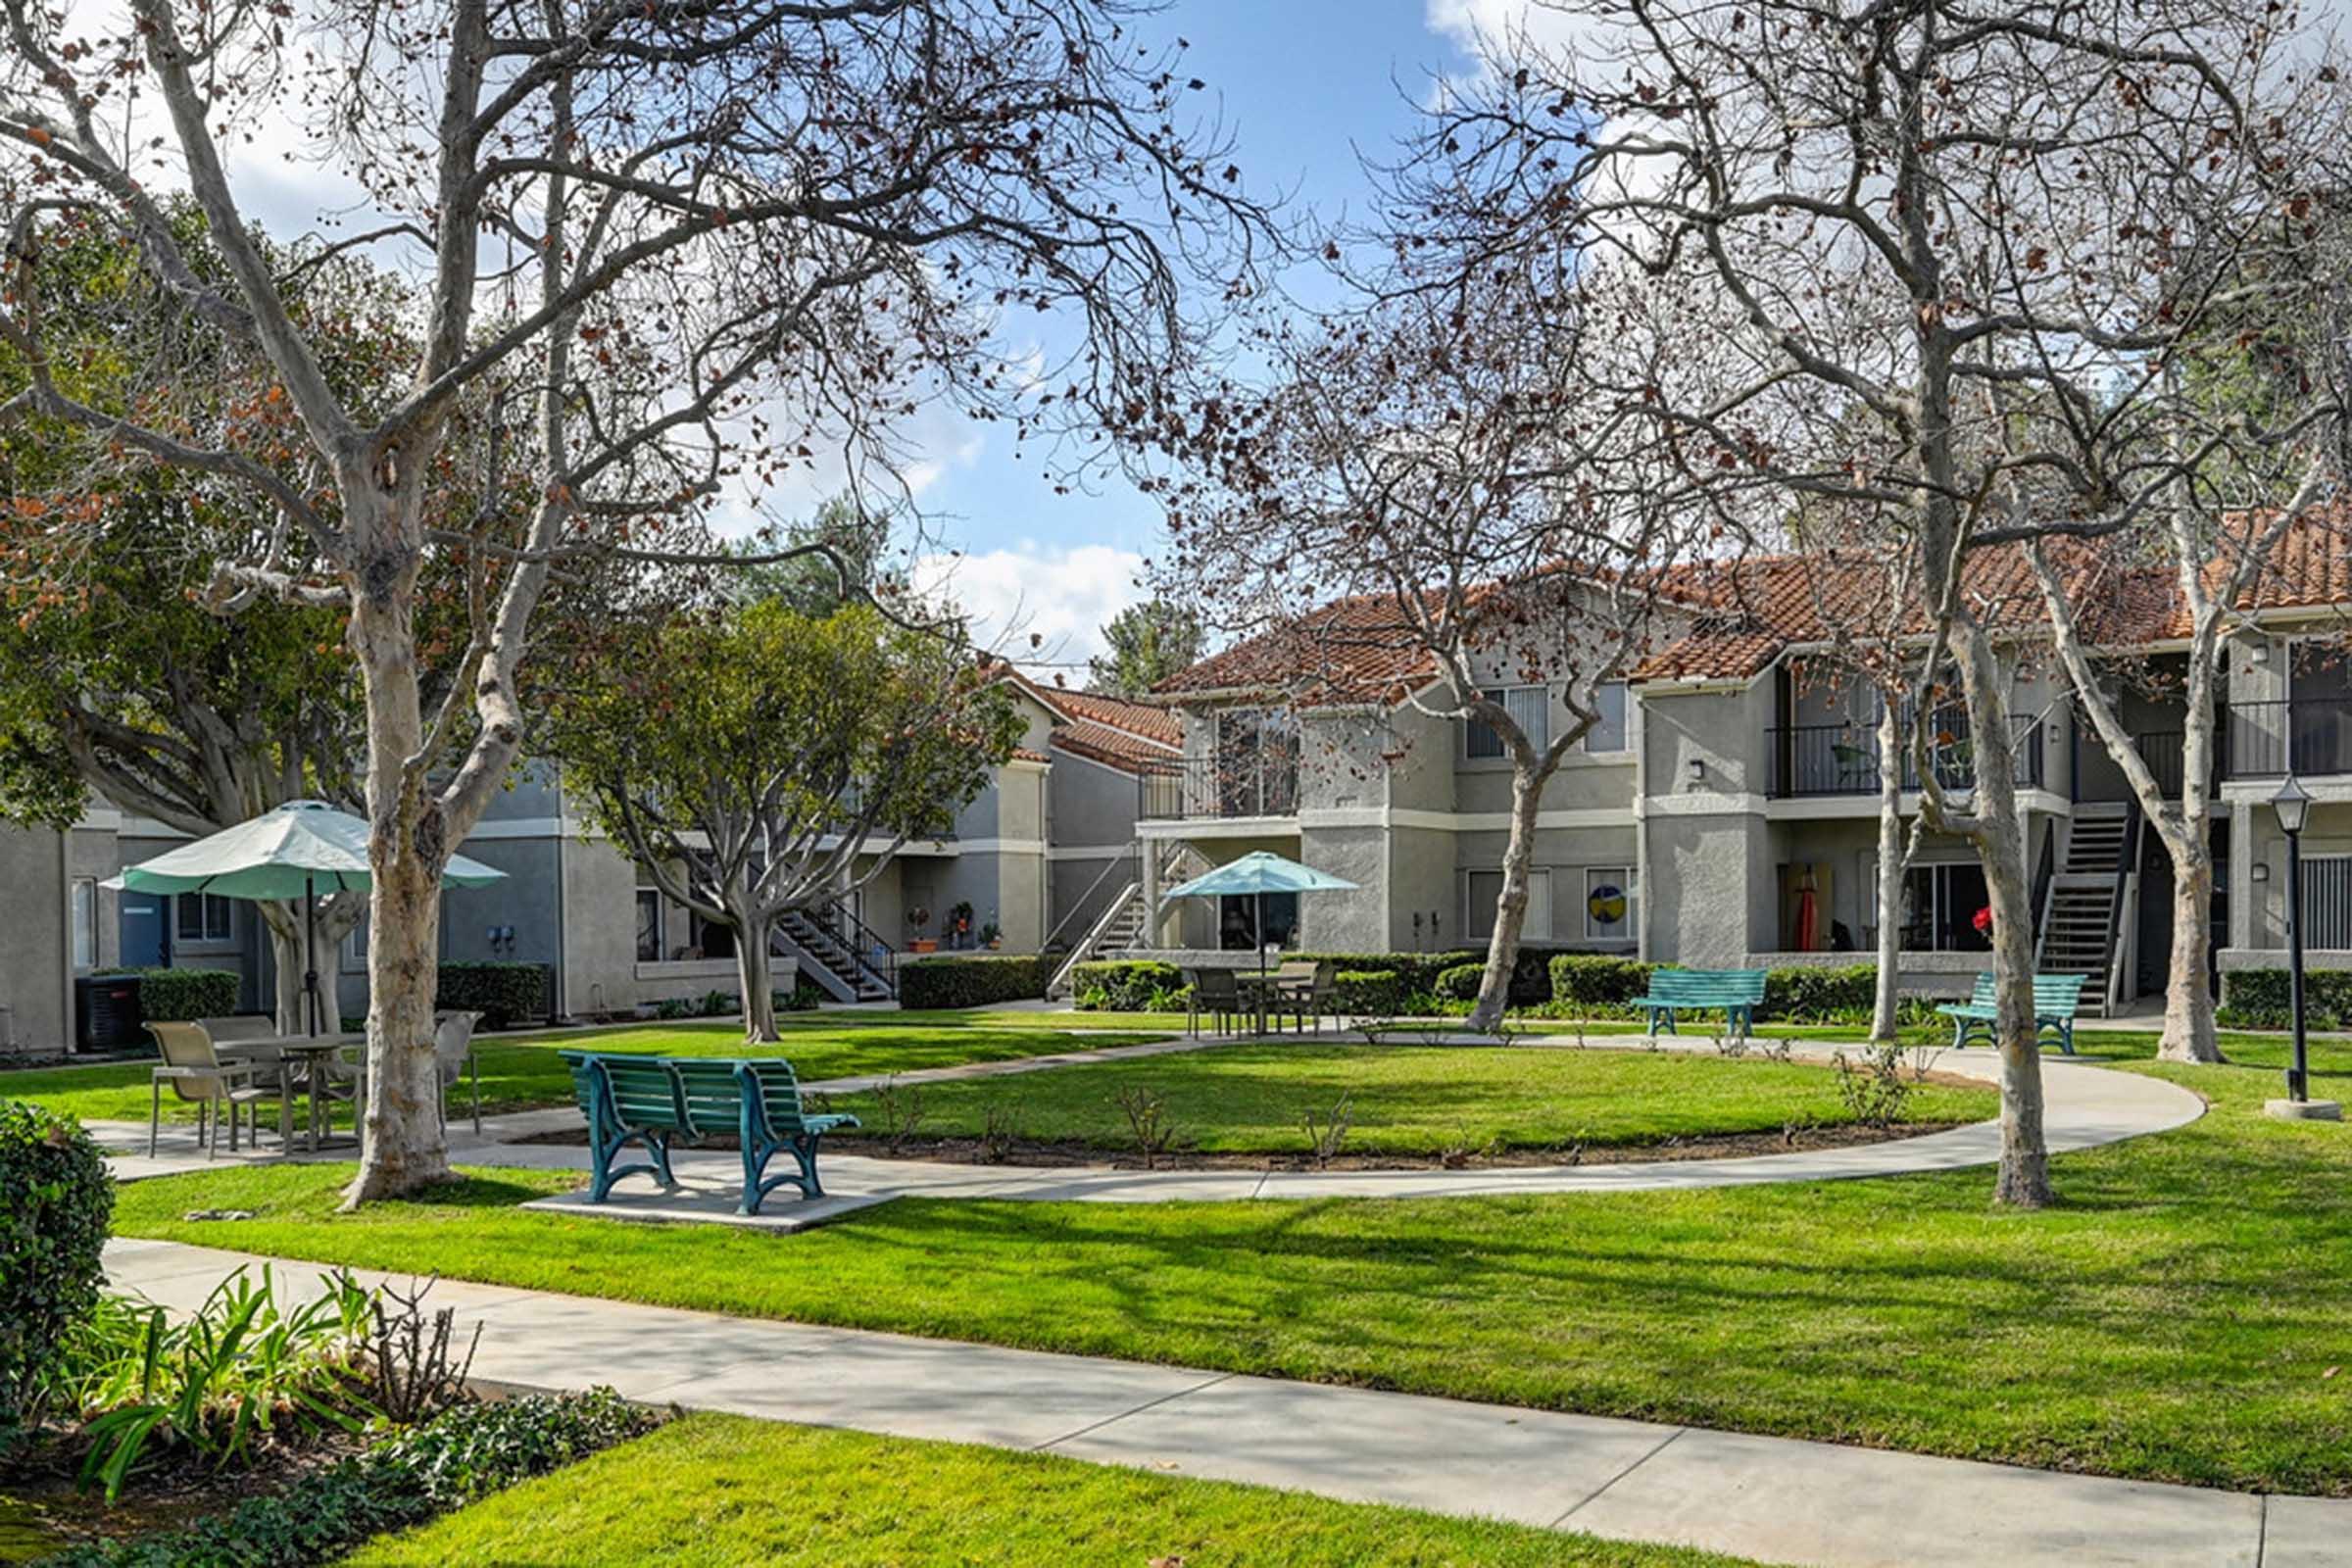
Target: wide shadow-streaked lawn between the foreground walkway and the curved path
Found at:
2172, 1320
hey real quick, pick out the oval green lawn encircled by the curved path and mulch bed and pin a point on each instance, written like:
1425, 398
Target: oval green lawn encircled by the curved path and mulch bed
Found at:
1412, 1099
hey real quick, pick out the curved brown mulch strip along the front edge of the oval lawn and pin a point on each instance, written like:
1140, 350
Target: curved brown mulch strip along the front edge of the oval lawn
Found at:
1069, 1153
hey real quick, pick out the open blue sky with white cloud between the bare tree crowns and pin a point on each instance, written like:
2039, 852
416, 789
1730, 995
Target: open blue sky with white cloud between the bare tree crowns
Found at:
1304, 88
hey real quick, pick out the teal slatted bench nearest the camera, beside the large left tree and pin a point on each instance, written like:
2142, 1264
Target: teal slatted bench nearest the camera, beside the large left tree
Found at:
653, 1099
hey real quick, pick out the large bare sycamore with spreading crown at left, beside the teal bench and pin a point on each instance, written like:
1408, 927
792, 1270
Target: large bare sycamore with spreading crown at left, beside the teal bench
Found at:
667, 253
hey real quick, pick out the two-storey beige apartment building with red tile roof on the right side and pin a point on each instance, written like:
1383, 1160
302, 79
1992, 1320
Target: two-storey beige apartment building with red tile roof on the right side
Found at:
1725, 810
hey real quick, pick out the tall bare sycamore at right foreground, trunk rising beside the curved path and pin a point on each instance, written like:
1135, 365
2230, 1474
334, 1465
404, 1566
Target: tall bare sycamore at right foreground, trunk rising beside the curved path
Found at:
1953, 243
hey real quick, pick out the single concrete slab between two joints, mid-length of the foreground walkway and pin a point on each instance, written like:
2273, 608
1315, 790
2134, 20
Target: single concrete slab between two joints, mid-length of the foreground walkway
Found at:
1363, 1447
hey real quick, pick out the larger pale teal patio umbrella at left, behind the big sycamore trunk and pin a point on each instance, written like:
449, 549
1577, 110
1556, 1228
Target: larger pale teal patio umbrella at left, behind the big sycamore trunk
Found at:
295, 852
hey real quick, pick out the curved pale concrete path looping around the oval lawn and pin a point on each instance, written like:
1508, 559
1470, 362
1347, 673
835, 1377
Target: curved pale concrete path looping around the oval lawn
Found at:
2085, 1108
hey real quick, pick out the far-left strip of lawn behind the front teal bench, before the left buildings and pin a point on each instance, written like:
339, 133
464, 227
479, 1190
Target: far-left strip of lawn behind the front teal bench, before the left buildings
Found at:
521, 1073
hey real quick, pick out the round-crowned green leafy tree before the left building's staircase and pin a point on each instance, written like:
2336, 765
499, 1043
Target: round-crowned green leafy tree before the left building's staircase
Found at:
759, 758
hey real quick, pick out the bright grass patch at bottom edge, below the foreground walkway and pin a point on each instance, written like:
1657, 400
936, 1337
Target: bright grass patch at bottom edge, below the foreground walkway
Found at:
723, 1489
